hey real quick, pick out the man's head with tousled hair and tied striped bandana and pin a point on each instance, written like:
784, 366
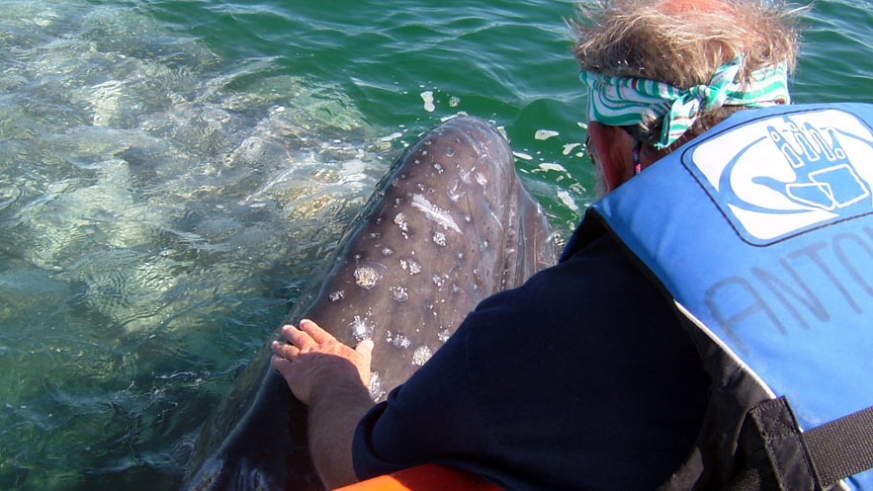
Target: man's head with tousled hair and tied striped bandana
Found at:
722, 55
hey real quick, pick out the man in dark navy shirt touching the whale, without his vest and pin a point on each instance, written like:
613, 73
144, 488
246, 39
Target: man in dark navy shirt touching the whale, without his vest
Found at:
582, 378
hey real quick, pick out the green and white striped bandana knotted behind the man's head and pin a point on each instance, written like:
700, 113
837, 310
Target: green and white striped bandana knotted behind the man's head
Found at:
619, 101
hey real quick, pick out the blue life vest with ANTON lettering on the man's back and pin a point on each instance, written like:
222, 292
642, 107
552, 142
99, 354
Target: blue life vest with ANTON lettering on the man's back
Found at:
761, 230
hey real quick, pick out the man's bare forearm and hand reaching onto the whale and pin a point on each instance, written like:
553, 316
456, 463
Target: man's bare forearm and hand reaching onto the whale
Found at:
331, 378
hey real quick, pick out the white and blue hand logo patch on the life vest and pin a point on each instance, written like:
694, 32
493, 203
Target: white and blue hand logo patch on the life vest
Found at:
777, 177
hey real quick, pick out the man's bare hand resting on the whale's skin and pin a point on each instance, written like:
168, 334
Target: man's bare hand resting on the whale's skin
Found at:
313, 359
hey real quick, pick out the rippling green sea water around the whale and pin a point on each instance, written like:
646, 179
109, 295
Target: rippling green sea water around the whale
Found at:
172, 172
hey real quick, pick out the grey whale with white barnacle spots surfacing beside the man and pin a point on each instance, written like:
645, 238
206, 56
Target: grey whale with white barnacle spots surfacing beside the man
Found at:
449, 226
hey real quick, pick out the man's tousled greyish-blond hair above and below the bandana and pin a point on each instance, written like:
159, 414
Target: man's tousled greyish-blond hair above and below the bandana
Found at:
683, 43
